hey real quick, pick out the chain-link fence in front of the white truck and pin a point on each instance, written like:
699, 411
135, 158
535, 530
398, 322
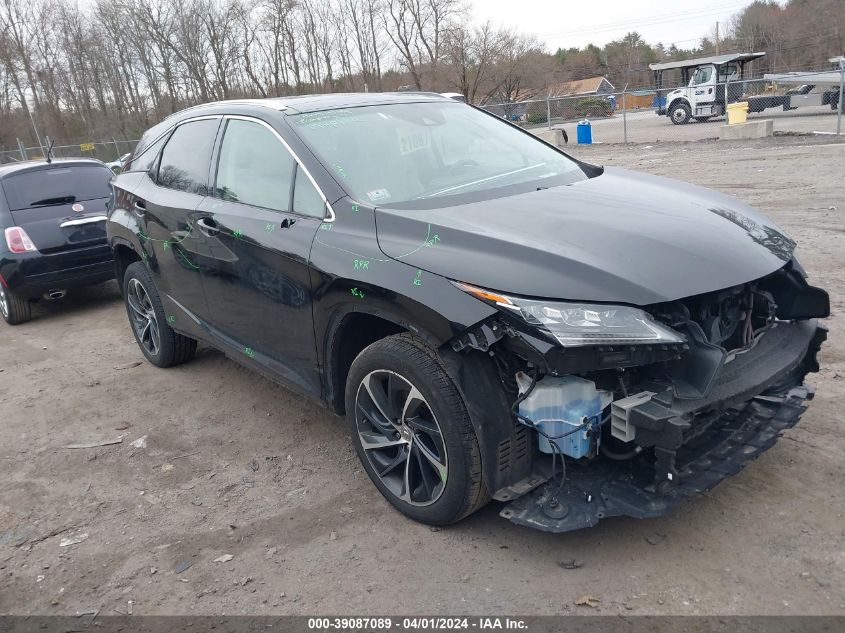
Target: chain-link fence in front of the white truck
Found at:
796, 103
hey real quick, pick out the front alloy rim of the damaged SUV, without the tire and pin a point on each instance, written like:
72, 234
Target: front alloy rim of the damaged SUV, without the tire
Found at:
401, 437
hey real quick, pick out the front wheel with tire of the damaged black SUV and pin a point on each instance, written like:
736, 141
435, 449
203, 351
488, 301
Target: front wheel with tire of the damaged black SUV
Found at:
412, 432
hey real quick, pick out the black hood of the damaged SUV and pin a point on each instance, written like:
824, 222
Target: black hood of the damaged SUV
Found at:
619, 237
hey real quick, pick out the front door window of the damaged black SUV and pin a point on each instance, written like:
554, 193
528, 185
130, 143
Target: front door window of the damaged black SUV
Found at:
254, 167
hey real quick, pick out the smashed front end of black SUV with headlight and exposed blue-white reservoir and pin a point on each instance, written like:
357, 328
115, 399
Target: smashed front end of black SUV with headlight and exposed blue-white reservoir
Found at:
628, 411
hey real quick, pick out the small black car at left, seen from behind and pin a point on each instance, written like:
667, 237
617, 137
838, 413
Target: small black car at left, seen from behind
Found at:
53, 216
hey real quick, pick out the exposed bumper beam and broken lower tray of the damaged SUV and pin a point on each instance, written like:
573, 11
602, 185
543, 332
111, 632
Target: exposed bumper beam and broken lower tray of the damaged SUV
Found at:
714, 438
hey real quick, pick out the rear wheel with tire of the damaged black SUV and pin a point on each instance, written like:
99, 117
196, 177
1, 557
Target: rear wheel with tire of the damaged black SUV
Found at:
160, 344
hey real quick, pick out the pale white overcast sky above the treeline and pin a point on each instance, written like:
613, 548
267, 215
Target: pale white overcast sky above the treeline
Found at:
565, 23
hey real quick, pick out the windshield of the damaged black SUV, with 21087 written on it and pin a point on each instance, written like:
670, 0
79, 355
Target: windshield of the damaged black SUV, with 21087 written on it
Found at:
389, 154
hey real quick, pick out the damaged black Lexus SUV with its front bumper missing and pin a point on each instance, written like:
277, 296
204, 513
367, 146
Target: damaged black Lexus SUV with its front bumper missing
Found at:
485, 310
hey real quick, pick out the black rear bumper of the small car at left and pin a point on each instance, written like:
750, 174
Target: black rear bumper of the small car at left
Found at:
32, 274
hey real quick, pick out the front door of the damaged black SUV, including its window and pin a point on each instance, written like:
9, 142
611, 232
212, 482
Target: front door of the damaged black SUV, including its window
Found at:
259, 232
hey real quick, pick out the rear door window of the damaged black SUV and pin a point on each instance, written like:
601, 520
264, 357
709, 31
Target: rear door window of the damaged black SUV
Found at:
186, 157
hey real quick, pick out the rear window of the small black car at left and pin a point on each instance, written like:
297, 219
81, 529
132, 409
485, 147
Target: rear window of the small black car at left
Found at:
57, 185
